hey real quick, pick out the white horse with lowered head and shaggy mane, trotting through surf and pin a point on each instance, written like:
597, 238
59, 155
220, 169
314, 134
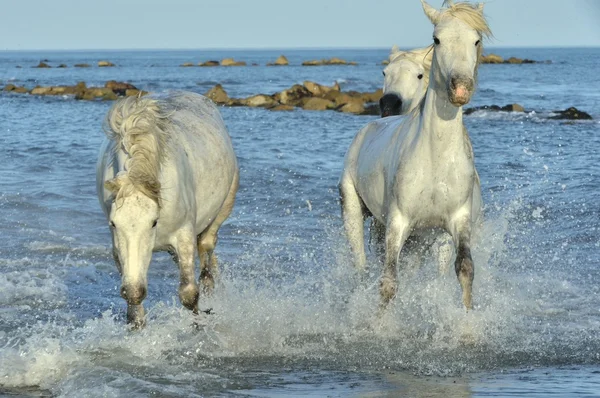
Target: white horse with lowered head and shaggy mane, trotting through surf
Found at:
167, 178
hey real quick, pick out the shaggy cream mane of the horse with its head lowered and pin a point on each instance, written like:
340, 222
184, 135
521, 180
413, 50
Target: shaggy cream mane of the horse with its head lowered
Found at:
138, 126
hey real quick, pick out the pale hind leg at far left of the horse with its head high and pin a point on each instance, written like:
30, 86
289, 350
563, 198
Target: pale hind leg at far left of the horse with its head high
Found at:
353, 217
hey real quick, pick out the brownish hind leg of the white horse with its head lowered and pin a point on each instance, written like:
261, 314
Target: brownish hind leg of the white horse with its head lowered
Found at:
207, 241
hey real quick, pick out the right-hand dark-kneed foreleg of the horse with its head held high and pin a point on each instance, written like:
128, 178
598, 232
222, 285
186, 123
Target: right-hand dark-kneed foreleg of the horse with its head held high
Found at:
464, 263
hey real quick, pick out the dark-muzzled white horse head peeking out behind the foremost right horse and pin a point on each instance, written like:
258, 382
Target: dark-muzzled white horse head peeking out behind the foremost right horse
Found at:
405, 80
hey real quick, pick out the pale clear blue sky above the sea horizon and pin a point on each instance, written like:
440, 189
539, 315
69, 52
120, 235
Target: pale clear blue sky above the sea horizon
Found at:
198, 24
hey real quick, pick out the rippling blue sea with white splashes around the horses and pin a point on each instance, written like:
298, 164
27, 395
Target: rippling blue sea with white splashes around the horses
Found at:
290, 316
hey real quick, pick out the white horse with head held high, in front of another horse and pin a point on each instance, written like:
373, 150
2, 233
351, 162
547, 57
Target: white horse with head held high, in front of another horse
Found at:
418, 172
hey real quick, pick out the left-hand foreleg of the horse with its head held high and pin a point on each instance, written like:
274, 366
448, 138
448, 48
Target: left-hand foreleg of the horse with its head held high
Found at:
396, 233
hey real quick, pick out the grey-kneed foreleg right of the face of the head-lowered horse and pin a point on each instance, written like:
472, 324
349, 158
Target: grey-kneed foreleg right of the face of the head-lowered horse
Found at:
184, 254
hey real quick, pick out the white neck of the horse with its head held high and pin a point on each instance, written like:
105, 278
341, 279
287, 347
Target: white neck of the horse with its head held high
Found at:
442, 122
